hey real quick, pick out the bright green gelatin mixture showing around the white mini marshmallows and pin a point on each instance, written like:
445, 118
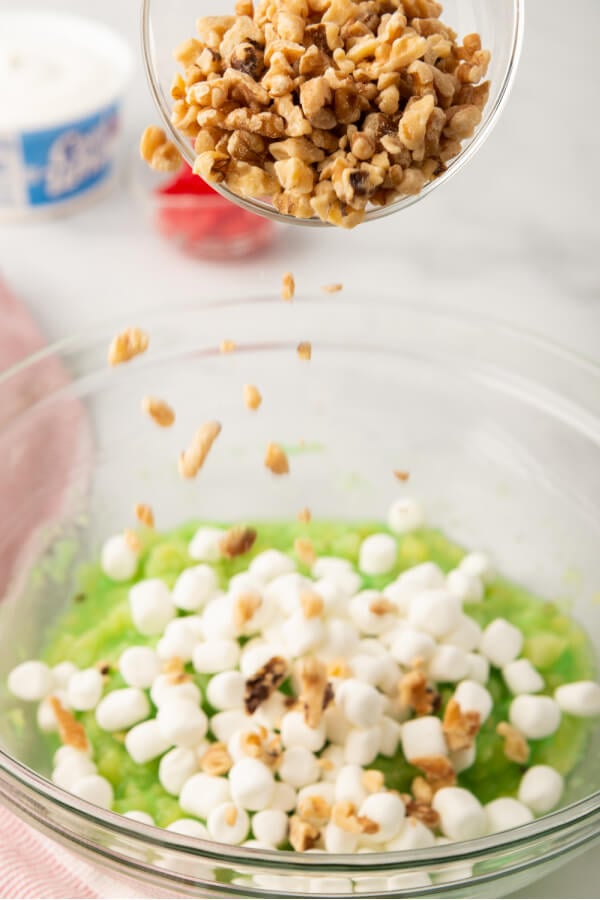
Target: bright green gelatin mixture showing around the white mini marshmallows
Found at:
97, 626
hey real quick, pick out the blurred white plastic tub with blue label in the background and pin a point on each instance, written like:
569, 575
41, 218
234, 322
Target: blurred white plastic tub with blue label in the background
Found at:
62, 81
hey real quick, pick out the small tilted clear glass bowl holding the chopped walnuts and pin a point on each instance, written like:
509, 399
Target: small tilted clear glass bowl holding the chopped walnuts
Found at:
167, 23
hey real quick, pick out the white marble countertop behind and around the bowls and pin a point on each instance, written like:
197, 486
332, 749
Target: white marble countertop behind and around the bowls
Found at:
516, 235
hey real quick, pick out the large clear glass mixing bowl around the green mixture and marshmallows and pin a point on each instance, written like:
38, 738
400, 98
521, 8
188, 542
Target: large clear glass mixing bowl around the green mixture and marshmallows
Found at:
500, 432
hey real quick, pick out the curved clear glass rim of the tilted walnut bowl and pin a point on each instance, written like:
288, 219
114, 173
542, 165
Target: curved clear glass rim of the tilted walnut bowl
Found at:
264, 209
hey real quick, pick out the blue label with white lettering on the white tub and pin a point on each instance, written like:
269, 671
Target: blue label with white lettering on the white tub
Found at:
61, 163
